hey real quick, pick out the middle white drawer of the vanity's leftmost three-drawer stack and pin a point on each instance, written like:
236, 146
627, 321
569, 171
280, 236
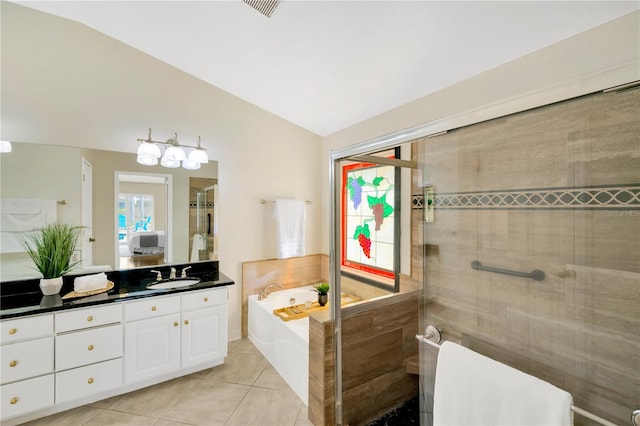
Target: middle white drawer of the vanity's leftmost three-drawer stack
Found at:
26, 359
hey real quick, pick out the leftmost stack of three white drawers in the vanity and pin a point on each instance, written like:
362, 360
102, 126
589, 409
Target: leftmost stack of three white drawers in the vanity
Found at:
27, 375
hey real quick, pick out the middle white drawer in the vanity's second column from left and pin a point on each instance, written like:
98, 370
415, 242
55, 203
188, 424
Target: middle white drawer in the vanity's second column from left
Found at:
88, 347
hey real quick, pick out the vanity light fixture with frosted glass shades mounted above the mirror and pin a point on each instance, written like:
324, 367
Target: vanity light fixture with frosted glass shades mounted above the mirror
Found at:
174, 154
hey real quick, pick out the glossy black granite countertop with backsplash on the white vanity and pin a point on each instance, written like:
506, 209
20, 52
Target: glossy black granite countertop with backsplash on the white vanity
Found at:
23, 297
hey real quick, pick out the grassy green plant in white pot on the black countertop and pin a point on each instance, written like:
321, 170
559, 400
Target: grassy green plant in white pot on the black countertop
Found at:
50, 249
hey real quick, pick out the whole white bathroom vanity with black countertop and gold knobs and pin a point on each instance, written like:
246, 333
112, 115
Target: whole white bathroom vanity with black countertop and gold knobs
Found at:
58, 354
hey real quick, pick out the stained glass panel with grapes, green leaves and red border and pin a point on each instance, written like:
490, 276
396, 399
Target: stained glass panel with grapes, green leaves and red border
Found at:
369, 218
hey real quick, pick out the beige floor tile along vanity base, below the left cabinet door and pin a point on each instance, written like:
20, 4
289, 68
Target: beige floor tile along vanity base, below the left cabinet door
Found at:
156, 400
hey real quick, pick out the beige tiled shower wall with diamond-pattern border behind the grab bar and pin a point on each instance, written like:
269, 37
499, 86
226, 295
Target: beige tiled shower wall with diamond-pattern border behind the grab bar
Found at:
557, 189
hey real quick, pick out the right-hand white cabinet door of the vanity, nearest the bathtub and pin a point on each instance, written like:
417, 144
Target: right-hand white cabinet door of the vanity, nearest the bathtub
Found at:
204, 336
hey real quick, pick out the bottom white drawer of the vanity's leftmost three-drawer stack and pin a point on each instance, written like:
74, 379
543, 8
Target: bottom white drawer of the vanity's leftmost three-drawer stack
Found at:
25, 396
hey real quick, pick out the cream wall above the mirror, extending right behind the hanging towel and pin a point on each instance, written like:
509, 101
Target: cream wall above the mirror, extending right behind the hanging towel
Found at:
66, 84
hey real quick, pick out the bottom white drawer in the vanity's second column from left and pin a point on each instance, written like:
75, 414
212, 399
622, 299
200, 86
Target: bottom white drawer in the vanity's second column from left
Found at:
84, 381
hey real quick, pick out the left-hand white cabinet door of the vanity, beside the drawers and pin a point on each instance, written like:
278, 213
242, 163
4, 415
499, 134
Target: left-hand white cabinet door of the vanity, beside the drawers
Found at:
151, 347
